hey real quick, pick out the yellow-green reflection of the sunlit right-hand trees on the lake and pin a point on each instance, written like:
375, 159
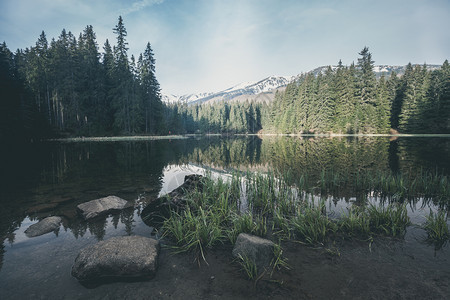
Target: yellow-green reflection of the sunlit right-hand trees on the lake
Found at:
299, 156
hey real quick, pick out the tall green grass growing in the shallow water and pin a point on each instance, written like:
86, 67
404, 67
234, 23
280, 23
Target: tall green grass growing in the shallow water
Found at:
272, 205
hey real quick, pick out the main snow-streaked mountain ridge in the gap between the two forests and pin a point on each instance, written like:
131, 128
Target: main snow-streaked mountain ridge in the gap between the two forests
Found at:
246, 89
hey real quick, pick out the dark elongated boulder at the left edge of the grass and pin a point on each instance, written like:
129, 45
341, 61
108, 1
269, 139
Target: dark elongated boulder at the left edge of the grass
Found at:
155, 212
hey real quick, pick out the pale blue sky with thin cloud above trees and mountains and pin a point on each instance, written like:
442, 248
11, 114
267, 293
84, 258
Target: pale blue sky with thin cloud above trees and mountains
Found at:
211, 45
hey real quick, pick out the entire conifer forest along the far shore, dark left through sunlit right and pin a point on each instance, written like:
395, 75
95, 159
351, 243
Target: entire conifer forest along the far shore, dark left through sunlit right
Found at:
66, 87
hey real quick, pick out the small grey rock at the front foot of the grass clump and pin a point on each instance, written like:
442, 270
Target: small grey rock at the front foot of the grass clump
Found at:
257, 249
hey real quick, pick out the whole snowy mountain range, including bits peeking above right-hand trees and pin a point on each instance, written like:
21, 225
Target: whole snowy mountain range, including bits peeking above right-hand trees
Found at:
265, 89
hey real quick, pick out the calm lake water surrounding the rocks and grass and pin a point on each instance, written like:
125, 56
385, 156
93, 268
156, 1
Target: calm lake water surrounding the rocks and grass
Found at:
53, 178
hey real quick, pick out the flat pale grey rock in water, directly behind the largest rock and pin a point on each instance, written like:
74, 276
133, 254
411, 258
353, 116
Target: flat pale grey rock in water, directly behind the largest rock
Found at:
94, 208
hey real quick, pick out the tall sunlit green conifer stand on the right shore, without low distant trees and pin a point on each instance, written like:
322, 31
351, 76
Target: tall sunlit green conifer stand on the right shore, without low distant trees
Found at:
351, 100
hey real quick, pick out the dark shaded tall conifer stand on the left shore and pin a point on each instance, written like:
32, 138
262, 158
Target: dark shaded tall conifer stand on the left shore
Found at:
68, 86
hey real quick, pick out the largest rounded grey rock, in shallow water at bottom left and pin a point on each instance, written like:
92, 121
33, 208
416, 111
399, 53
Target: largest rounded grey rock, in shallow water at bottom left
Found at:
117, 257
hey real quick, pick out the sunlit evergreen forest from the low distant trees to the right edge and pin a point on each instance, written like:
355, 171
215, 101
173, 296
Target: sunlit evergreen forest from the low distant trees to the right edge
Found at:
345, 99
